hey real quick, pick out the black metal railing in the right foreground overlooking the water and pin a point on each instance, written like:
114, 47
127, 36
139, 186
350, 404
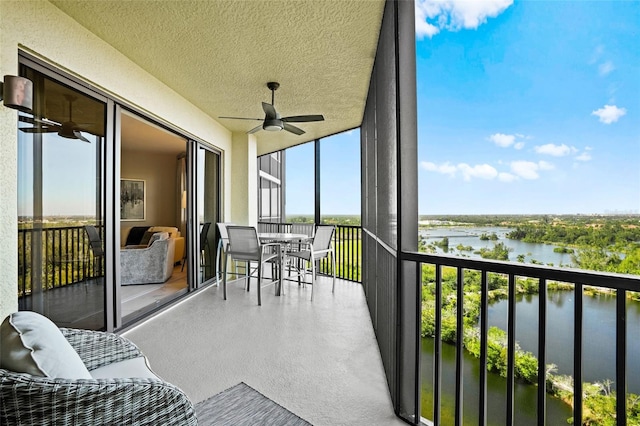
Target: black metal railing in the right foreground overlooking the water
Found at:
577, 279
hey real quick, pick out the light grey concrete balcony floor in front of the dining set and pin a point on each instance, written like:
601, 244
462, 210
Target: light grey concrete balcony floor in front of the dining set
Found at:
318, 359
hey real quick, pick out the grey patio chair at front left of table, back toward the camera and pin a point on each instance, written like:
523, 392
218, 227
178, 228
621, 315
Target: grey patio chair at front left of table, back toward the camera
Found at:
245, 246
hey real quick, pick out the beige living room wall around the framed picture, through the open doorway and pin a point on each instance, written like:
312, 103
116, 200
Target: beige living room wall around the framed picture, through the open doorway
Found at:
159, 173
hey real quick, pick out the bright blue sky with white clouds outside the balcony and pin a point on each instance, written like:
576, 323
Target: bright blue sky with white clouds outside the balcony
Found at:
523, 107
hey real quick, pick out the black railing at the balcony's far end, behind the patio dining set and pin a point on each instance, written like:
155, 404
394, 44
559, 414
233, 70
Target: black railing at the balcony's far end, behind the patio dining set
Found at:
347, 243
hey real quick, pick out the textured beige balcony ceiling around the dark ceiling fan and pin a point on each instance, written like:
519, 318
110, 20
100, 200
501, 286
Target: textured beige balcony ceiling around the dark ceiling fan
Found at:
219, 55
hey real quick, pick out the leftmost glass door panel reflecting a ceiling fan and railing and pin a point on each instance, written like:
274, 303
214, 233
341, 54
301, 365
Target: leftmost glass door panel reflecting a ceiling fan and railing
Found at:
60, 205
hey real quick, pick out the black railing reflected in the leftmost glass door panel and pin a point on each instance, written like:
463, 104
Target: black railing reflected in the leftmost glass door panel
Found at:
55, 257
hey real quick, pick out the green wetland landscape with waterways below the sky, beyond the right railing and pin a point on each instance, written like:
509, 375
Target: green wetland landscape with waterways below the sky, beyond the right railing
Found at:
602, 244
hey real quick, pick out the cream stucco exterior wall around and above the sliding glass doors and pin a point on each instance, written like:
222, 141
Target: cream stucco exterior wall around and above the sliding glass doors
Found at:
42, 30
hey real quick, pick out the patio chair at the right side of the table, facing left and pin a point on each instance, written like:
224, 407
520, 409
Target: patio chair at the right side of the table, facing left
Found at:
319, 248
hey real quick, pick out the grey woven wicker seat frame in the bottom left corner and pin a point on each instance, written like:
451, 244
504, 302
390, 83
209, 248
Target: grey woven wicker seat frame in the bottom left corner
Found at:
26, 399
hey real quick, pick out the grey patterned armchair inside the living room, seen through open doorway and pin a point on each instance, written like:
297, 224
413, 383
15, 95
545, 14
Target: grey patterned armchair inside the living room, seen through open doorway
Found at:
152, 264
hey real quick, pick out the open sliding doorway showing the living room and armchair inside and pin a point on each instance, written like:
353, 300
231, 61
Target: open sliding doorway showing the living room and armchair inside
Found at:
152, 216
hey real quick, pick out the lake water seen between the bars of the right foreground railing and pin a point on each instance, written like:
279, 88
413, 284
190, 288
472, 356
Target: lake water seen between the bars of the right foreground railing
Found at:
598, 357
